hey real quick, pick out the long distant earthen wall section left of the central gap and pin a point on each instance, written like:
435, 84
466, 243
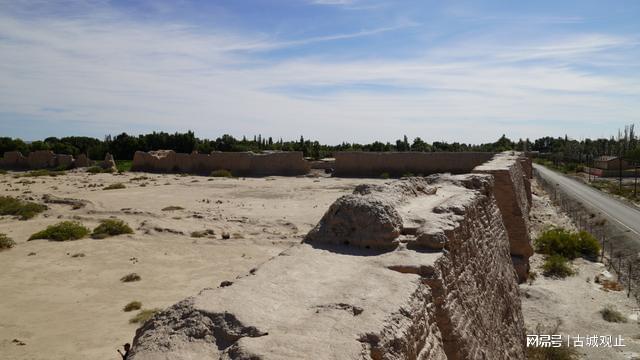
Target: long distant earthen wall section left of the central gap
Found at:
239, 163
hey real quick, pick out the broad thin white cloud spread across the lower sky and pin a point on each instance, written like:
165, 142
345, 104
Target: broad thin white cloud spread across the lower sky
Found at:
113, 73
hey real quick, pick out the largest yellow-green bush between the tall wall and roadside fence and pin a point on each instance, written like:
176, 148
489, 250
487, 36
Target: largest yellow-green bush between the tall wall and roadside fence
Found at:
558, 241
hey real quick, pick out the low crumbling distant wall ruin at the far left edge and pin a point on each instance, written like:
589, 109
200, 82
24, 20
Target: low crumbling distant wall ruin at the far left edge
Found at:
41, 159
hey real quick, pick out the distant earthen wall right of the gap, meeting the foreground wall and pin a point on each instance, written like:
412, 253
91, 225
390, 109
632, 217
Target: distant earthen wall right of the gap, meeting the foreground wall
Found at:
373, 164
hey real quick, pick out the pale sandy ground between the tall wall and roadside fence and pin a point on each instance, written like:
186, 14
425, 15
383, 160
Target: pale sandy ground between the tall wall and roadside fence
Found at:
577, 300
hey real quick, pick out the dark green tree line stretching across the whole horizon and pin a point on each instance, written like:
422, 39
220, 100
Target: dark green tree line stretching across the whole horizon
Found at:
123, 146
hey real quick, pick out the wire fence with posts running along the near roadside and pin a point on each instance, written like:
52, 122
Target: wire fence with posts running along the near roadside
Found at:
619, 248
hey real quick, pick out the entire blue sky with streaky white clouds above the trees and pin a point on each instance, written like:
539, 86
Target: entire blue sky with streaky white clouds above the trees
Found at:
331, 70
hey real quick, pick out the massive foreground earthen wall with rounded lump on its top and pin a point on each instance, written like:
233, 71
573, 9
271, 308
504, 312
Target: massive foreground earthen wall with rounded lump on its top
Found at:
441, 286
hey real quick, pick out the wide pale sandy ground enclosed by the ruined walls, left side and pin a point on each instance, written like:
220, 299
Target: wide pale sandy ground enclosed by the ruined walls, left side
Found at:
65, 307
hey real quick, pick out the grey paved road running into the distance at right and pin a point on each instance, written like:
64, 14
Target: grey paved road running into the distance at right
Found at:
626, 216
